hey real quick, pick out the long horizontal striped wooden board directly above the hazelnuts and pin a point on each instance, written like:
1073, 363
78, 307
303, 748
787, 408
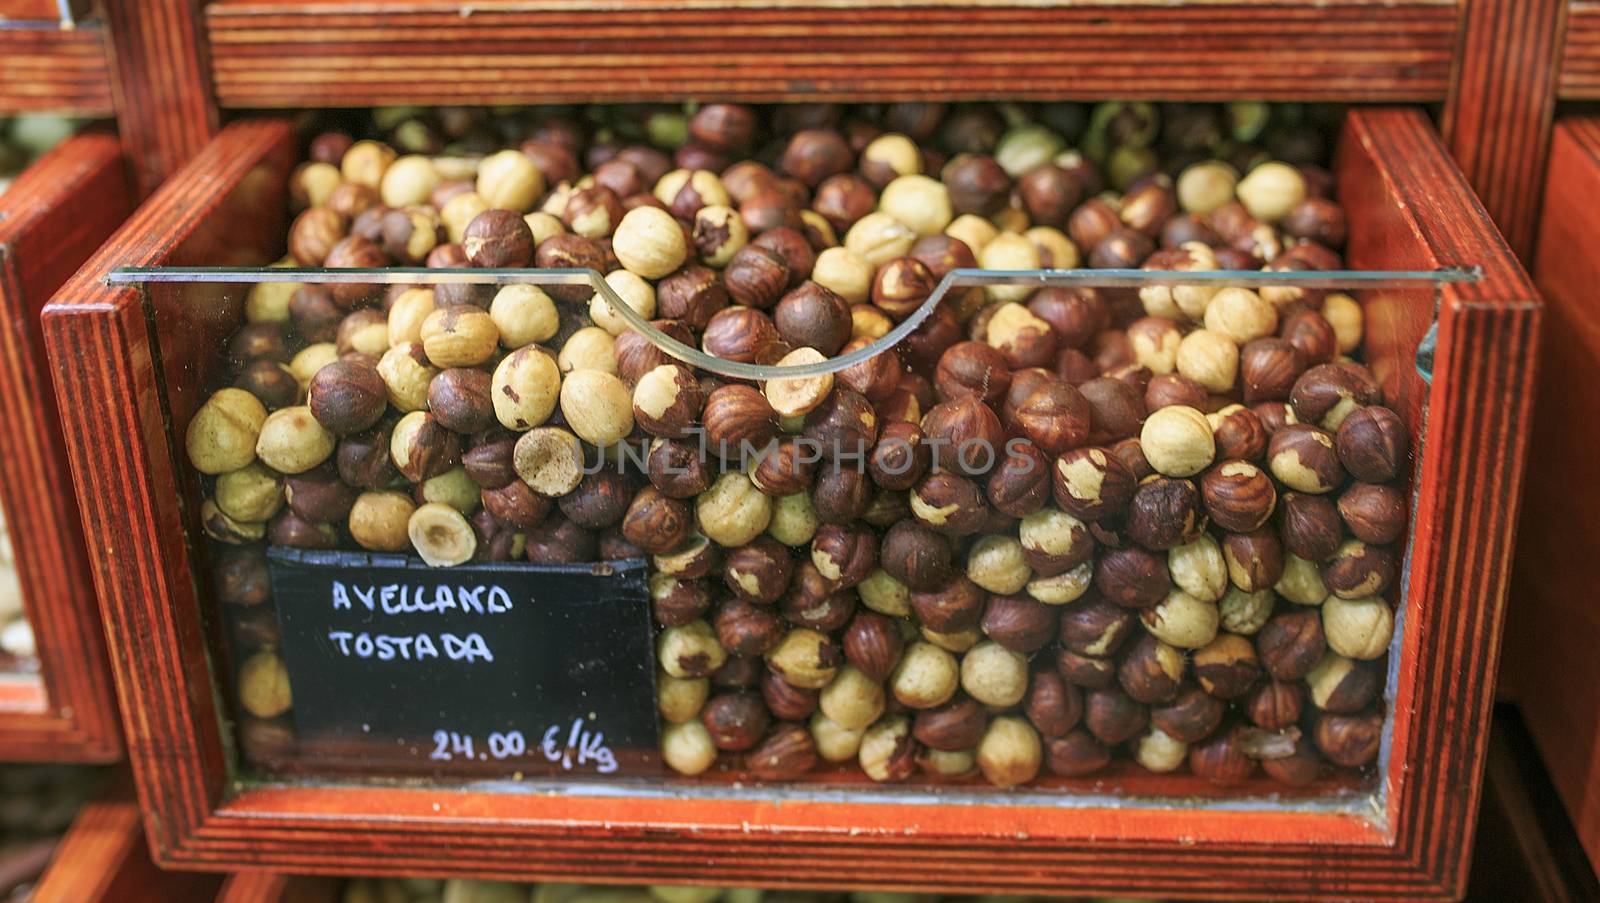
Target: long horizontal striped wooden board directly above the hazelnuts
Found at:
439, 52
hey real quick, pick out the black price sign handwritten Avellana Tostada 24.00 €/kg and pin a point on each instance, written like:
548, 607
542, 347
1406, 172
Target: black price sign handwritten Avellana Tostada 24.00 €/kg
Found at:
481, 668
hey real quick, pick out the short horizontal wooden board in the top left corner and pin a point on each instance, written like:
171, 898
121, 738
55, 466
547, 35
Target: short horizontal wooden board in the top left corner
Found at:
46, 68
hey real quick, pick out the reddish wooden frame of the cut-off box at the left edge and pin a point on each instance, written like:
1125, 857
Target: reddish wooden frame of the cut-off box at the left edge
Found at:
55, 215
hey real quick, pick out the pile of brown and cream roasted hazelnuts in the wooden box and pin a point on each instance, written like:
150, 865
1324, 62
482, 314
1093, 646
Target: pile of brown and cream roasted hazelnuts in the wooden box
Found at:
1054, 526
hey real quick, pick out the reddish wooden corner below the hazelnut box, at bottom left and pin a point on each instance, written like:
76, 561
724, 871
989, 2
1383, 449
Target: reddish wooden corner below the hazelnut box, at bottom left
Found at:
103, 859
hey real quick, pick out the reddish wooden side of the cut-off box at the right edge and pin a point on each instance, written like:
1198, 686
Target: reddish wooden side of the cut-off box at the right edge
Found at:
1550, 648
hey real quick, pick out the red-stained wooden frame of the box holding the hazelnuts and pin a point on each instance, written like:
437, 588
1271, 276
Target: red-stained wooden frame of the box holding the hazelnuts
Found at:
134, 364
